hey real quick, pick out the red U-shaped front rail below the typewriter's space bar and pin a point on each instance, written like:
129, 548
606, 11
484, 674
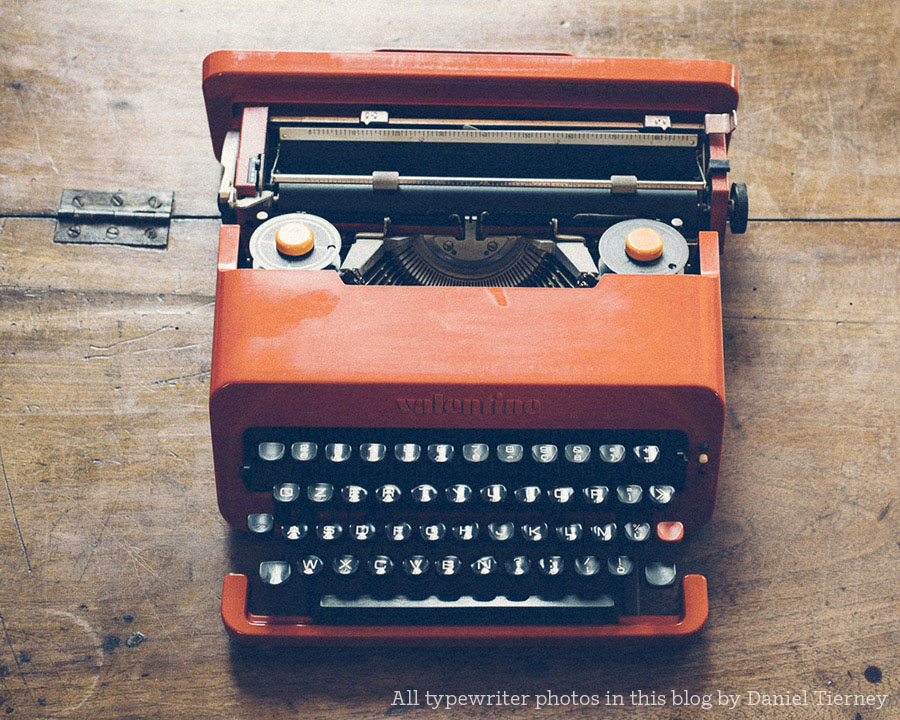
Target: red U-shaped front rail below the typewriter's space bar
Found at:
266, 630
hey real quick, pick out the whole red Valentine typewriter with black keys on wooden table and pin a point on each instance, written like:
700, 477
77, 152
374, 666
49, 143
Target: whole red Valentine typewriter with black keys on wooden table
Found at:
467, 379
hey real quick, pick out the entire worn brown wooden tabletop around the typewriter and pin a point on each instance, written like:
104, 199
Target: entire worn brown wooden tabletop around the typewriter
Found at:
110, 526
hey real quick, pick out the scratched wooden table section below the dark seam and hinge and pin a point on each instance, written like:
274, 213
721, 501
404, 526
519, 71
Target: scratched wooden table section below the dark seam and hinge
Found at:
104, 361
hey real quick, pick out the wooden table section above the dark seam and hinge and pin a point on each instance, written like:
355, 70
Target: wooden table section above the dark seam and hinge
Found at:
109, 96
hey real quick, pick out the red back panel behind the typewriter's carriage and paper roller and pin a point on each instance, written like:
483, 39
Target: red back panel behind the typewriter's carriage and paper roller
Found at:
233, 79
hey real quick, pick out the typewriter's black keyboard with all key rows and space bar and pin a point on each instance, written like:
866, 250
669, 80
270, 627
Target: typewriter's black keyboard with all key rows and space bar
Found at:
465, 526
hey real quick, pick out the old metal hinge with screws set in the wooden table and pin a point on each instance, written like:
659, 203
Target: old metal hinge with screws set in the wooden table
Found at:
114, 218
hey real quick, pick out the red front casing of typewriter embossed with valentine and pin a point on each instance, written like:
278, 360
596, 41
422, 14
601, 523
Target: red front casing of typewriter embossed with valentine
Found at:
295, 348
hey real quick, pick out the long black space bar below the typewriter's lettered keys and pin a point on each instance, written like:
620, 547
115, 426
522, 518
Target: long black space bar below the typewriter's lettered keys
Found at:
568, 610
